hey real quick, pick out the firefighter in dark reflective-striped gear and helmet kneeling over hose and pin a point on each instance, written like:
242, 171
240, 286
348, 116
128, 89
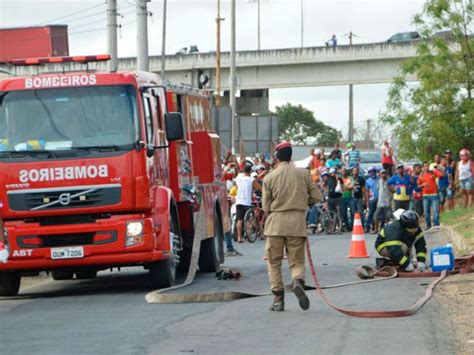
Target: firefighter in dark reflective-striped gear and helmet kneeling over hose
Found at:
396, 239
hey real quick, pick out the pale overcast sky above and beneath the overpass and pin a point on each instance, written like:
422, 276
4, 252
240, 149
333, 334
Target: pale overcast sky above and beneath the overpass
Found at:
193, 22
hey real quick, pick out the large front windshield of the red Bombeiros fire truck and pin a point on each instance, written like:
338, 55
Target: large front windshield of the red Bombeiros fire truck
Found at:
68, 119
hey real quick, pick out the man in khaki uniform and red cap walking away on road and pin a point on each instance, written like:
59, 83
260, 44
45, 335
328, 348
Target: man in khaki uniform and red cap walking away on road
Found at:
287, 192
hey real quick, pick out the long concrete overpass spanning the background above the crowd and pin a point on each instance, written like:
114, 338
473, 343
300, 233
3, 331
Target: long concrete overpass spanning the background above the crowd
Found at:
276, 68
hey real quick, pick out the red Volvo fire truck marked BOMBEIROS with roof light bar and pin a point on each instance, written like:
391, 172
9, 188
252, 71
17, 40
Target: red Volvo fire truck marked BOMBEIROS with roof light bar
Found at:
102, 170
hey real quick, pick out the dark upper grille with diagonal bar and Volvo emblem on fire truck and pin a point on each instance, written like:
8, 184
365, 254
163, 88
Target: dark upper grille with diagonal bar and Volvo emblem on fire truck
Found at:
61, 198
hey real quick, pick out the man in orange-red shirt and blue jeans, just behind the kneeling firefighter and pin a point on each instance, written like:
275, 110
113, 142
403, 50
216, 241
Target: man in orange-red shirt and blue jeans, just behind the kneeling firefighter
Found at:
429, 188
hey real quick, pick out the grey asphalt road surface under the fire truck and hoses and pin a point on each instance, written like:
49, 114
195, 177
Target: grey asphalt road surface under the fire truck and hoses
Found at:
109, 315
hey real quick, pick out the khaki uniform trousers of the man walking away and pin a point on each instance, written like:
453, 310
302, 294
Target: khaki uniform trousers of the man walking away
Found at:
274, 249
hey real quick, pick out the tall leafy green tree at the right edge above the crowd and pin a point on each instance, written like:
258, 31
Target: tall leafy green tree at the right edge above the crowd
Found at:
438, 112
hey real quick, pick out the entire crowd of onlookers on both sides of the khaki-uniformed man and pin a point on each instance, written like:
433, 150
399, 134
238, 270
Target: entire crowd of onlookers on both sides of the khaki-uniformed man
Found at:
428, 188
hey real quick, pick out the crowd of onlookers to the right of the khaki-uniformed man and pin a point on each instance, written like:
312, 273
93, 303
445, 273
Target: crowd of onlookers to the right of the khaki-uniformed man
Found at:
427, 188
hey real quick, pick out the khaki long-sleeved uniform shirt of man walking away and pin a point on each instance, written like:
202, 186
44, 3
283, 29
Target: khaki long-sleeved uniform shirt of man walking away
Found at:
287, 192
